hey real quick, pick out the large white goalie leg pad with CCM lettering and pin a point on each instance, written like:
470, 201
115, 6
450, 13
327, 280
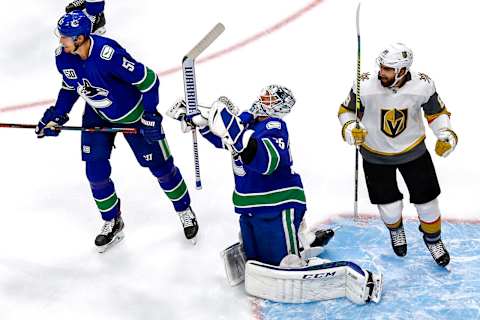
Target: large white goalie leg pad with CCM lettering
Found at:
312, 283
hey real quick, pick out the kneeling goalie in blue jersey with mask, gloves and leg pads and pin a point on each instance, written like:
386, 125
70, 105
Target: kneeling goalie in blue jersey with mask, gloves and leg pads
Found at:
270, 199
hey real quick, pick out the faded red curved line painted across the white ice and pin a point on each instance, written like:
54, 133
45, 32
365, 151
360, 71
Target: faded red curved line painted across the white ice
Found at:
282, 23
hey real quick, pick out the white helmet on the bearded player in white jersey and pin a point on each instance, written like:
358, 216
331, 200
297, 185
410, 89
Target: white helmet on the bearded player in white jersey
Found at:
396, 56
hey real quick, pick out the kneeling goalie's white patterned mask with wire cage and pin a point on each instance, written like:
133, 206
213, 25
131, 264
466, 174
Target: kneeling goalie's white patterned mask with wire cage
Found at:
273, 101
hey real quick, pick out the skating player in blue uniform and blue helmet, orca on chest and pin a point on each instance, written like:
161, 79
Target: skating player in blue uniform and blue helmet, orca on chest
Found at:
119, 91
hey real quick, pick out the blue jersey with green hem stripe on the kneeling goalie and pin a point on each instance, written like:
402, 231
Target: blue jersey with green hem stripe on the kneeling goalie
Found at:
267, 182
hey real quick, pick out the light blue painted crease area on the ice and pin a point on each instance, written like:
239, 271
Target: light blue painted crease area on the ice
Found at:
414, 288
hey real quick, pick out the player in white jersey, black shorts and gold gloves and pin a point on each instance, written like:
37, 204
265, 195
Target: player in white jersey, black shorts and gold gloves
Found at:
391, 136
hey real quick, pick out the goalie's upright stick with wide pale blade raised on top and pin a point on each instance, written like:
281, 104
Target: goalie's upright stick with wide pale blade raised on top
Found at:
190, 87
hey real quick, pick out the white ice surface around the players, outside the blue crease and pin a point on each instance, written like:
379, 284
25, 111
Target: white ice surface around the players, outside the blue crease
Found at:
48, 220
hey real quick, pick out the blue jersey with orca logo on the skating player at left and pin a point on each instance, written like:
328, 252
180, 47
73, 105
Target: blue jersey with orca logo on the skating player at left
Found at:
110, 80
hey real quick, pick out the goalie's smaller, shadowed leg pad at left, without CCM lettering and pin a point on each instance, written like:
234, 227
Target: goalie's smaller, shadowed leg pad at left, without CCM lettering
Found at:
234, 261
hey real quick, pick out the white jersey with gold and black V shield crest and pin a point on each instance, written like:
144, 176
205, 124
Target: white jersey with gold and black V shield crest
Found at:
393, 117
